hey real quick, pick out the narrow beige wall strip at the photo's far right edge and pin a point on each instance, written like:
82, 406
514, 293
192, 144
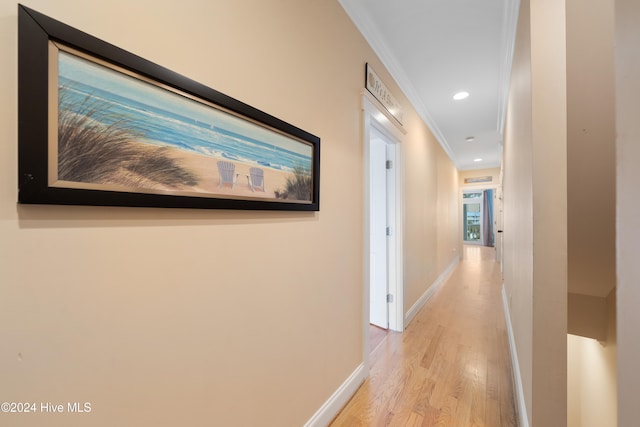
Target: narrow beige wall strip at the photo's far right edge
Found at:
627, 57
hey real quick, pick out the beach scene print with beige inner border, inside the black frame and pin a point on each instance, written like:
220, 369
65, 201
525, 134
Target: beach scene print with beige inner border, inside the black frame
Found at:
117, 131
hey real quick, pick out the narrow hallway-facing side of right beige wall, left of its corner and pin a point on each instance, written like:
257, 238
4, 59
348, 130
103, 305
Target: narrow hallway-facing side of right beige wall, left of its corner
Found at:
517, 205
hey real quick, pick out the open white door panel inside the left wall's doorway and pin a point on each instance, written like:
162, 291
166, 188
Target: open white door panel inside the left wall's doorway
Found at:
379, 274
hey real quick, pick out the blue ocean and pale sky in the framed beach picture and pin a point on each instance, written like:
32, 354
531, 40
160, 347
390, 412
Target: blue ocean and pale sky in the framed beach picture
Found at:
161, 117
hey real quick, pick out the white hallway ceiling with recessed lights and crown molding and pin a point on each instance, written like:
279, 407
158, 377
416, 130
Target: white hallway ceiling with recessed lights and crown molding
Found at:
437, 48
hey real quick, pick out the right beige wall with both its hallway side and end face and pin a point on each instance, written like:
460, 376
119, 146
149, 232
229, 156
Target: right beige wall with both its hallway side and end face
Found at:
535, 218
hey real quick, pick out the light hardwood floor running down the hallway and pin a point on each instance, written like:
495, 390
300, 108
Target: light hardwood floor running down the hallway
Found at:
451, 366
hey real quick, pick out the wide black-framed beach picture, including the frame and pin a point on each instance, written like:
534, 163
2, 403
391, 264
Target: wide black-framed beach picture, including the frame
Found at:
101, 126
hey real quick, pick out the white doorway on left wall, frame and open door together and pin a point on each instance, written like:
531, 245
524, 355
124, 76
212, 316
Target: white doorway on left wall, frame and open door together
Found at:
383, 206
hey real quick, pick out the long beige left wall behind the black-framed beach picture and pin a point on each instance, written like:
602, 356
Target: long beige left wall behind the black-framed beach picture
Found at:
186, 317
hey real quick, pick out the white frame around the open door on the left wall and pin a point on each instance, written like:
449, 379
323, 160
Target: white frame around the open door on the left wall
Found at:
373, 114
